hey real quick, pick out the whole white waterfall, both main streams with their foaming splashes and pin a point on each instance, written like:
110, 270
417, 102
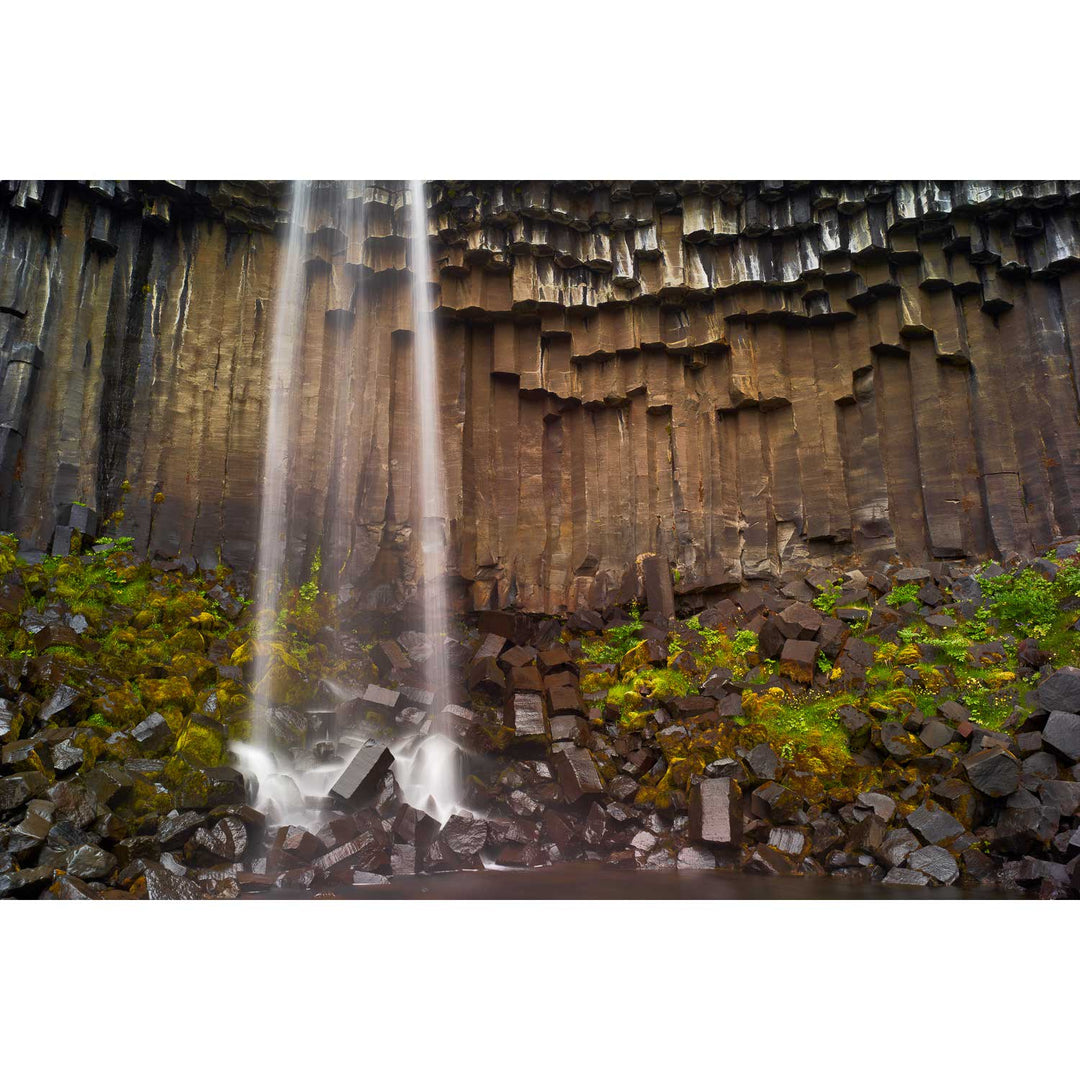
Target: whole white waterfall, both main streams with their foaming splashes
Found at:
427, 766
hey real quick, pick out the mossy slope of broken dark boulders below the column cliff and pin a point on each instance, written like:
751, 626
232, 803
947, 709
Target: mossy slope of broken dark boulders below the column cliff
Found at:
912, 726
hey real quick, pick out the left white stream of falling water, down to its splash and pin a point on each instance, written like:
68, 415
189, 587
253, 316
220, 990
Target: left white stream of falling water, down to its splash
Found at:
287, 335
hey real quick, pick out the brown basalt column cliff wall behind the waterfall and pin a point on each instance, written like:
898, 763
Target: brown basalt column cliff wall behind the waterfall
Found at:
737, 377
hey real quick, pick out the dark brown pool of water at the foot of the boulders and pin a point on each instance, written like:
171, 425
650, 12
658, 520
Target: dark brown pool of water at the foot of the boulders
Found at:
599, 882
